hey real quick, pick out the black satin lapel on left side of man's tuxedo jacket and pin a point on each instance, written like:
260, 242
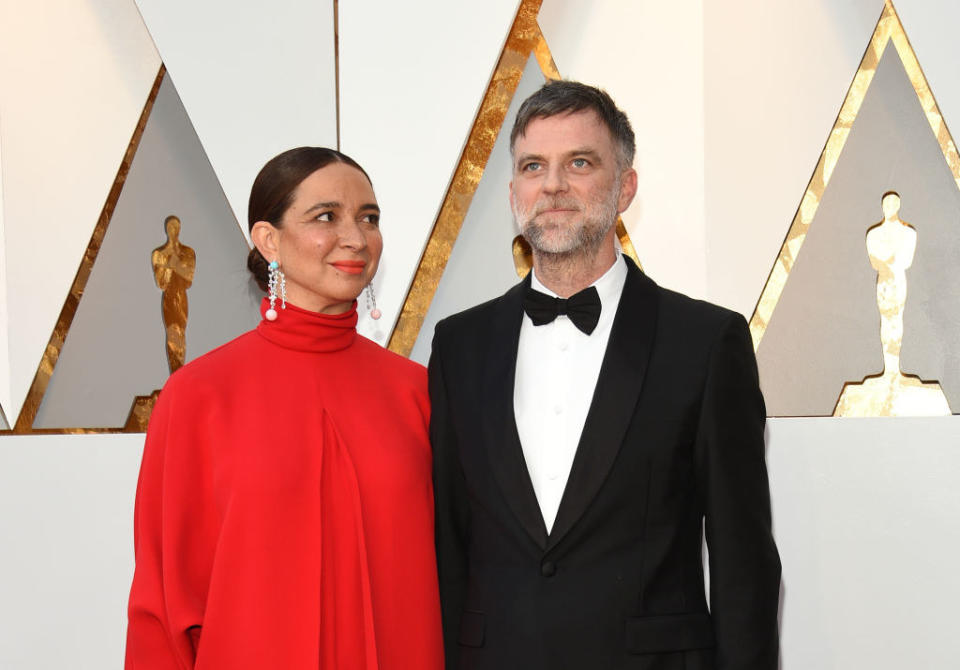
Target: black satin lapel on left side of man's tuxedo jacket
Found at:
500, 425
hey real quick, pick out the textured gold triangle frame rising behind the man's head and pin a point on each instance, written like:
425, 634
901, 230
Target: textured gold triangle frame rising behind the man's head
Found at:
525, 38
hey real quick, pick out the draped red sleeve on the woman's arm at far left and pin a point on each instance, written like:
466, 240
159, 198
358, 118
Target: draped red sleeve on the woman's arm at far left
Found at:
174, 537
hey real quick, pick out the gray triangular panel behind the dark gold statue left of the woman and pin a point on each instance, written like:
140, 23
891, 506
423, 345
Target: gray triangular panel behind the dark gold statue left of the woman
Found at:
115, 349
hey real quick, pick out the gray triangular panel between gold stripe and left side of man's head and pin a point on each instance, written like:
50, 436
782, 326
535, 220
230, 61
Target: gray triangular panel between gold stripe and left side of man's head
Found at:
480, 266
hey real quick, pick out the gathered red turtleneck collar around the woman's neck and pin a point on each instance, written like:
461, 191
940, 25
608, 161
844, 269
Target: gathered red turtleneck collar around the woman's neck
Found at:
303, 330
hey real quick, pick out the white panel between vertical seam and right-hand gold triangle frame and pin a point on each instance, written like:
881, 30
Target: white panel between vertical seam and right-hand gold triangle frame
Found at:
776, 75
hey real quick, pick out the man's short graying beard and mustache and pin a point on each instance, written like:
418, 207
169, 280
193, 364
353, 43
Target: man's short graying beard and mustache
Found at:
581, 236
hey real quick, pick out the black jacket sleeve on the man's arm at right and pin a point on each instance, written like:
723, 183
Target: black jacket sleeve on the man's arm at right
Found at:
744, 564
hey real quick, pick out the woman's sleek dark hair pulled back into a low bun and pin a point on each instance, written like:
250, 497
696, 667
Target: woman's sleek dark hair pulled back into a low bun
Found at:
273, 190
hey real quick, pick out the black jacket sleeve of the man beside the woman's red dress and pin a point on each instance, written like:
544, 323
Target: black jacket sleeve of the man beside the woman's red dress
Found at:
452, 506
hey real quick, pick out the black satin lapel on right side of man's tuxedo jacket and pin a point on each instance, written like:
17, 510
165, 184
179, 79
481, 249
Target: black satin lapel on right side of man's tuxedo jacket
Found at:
614, 399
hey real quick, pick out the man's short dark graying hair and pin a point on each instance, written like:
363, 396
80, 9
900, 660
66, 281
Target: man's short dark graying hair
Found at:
565, 97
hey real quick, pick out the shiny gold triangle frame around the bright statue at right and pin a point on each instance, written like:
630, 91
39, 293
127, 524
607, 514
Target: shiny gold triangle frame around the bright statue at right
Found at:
889, 28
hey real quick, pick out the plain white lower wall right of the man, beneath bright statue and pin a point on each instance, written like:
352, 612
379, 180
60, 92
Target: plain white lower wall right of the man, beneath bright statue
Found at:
865, 515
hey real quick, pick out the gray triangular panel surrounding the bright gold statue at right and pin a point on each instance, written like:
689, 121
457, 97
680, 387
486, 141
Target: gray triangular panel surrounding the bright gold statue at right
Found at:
825, 329
